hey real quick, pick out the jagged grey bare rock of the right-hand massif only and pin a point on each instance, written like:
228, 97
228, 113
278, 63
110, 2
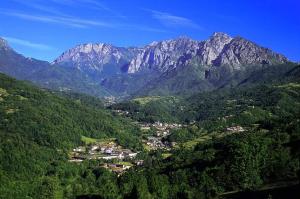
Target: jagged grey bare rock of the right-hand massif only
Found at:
219, 50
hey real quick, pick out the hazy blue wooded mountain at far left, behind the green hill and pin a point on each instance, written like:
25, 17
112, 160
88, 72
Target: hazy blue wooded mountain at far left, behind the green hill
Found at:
46, 75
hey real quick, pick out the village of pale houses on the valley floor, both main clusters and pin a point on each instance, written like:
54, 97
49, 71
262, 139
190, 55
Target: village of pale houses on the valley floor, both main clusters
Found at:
118, 159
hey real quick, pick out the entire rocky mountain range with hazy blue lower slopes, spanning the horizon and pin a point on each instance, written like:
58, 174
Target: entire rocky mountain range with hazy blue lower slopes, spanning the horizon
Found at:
174, 66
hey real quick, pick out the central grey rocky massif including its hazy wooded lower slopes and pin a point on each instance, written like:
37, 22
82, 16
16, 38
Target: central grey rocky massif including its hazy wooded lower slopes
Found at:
172, 65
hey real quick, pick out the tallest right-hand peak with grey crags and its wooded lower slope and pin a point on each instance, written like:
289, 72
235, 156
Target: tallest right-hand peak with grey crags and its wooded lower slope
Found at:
220, 61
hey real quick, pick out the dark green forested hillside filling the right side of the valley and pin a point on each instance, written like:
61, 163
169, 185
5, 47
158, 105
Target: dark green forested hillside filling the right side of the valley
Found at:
211, 159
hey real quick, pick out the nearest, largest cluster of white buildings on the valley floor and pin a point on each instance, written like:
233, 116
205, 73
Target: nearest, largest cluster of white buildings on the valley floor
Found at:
101, 151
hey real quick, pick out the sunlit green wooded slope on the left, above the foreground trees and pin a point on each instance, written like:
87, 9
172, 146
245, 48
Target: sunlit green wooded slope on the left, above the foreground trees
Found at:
36, 113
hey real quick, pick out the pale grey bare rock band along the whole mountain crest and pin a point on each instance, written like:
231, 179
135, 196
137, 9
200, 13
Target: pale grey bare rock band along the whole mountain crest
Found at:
219, 50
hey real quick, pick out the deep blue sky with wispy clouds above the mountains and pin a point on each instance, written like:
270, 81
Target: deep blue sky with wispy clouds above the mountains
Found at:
43, 29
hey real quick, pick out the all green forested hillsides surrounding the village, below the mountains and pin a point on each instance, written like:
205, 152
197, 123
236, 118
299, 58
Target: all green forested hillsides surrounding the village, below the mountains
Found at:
39, 127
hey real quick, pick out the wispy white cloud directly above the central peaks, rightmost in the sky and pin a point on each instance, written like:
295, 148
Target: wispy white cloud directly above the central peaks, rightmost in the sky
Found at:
170, 20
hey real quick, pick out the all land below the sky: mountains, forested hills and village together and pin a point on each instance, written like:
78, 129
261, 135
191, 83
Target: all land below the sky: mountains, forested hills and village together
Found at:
172, 119
